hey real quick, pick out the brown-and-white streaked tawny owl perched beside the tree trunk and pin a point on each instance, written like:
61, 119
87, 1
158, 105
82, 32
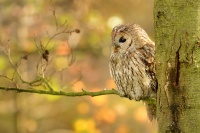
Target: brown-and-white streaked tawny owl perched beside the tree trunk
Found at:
132, 64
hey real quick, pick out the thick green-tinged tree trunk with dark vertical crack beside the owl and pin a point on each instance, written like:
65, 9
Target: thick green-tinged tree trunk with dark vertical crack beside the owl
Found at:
177, 30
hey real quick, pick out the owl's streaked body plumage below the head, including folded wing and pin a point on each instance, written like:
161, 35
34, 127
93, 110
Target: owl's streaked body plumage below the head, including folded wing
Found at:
134, 72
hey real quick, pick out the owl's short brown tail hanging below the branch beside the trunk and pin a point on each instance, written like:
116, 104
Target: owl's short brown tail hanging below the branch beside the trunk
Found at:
151, 110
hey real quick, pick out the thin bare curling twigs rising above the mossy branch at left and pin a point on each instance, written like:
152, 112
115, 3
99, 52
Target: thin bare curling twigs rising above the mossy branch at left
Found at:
44, 61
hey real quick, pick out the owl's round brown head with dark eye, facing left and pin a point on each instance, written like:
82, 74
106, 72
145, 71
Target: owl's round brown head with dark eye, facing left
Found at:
128, 36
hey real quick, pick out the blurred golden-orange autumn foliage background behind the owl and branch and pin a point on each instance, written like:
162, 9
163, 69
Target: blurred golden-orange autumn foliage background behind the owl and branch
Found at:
76, 61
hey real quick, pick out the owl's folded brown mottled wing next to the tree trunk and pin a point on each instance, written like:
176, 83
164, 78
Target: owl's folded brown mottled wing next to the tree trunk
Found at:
147, 54
